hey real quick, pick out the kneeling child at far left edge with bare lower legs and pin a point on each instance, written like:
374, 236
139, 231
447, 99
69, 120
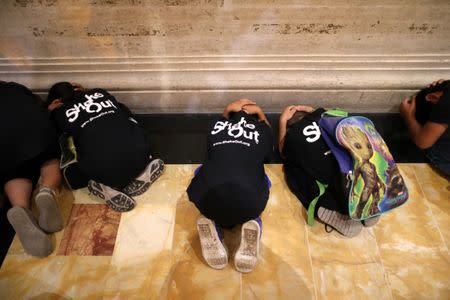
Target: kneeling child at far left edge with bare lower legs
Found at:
29, 152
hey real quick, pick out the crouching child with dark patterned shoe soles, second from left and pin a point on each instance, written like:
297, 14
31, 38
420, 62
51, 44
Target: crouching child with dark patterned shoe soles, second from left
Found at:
112, 149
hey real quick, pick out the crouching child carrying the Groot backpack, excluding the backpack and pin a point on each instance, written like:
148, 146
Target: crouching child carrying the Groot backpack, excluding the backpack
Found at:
308, 161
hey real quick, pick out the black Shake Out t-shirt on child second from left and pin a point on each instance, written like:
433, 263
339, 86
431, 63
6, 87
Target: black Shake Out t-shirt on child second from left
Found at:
106, 140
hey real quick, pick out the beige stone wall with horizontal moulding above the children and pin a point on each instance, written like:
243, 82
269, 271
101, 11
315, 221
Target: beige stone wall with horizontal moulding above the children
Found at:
196, 55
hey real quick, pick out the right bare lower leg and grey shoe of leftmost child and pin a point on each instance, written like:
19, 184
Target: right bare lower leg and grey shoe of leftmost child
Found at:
50, 218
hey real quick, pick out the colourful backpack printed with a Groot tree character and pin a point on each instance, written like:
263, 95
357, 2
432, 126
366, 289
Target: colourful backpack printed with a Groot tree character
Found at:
370, 177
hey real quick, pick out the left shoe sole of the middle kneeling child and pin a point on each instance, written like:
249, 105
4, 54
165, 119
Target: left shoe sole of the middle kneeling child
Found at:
213, 249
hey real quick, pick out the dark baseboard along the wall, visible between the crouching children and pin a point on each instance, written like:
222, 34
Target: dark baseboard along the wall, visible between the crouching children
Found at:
181, 138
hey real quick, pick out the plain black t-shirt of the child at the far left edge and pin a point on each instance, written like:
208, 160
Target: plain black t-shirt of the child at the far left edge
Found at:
26, 130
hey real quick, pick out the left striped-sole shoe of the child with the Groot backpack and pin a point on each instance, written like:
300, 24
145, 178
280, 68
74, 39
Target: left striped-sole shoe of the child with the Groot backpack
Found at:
342, 223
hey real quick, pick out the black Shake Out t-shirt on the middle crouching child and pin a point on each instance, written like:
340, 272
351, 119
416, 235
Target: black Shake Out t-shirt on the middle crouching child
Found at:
231, 187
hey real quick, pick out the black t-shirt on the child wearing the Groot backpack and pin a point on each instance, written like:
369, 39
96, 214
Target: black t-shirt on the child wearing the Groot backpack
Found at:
308, 158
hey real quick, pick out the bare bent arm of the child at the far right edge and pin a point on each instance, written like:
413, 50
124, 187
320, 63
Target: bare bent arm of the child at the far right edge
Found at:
423, 136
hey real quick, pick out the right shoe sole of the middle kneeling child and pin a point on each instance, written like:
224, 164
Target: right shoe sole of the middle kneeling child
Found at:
246, 256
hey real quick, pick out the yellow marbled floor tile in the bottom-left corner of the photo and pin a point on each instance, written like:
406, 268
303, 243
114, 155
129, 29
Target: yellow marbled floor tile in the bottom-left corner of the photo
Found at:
54, 277
